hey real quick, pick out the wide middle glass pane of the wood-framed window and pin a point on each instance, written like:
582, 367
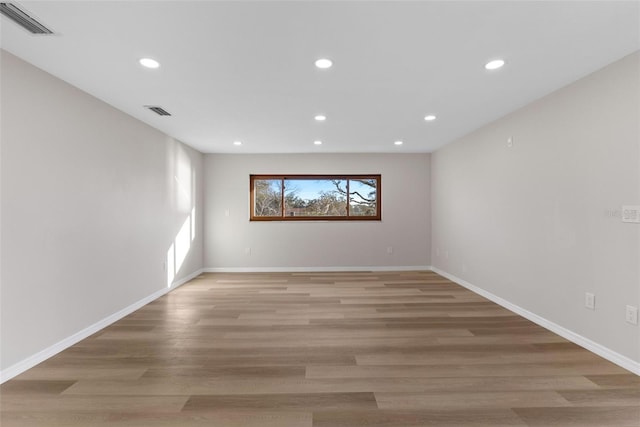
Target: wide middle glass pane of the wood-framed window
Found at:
315, 197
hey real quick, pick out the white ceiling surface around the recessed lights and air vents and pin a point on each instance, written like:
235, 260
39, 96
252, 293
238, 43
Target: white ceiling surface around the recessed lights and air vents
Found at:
244, 70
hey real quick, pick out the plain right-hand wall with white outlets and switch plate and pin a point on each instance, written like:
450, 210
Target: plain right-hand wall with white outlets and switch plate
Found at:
539, 224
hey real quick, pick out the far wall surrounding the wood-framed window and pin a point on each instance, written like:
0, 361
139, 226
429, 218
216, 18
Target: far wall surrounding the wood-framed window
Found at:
318, 245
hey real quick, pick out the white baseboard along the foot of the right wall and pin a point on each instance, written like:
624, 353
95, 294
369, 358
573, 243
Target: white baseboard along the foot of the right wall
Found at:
600, 350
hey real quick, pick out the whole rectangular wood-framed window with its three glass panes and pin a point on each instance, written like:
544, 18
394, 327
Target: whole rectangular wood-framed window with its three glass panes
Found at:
315, 197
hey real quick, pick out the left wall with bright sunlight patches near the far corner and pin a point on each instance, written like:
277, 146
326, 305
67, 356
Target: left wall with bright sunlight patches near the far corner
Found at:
92, 201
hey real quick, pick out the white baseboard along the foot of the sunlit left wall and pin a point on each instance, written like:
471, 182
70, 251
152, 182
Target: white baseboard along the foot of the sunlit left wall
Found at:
41, 356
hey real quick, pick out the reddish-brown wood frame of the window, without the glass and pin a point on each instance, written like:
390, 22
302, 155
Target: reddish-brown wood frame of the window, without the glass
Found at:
284, 217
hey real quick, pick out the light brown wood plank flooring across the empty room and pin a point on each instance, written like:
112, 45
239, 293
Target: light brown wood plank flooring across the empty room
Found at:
392, 349
